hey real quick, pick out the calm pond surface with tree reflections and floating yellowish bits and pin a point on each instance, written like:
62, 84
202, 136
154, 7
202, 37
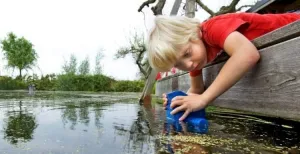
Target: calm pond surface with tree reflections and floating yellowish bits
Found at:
113, 123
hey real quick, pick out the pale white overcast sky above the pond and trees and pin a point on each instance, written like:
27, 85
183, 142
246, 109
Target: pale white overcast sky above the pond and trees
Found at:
59, 28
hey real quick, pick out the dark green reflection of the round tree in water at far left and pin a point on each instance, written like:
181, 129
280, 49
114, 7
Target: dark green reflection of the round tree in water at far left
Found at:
19, 125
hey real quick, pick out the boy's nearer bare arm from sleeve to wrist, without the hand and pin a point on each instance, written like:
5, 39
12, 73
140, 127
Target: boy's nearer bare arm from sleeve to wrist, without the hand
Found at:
243, 56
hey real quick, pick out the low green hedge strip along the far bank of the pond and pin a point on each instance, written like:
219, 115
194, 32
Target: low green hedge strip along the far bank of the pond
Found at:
71, 82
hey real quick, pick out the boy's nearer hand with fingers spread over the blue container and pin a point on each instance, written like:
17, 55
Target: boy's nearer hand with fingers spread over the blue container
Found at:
188, 104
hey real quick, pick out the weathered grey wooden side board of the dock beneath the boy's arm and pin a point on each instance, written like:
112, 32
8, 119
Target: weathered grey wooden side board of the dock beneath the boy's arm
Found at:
271, 88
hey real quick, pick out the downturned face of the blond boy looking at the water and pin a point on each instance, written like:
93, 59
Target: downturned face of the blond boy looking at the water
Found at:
192, 56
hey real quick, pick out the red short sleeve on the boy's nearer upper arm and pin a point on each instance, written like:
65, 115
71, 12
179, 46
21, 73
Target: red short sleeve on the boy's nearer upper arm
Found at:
218, 30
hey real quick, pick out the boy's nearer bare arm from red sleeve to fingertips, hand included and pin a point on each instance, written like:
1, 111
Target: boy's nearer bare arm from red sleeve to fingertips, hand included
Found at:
243, 56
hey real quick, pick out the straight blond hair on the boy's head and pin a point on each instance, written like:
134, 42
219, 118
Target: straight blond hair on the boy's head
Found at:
167, 38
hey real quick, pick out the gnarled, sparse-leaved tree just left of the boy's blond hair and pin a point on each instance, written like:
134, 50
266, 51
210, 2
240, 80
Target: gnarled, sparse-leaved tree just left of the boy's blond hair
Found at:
137, 49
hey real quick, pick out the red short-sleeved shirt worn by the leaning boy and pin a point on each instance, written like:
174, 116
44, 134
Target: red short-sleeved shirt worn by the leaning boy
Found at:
251, 25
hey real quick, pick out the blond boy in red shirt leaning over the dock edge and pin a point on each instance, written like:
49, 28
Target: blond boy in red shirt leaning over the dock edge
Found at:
189, 45
